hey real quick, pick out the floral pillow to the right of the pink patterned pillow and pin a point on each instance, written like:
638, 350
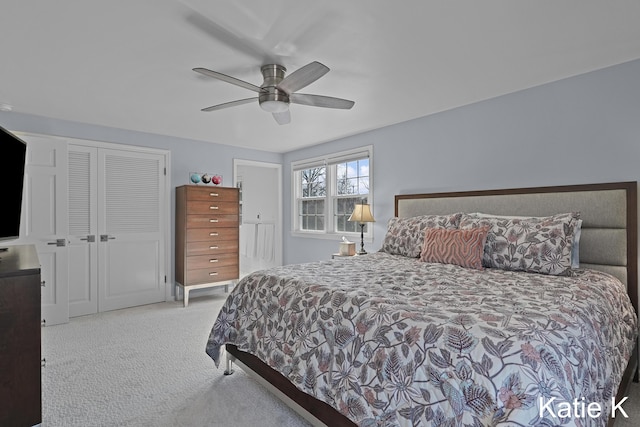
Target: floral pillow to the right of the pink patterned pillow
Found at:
534, 244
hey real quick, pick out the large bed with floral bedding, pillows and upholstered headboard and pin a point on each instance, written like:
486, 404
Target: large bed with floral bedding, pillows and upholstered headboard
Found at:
399, 337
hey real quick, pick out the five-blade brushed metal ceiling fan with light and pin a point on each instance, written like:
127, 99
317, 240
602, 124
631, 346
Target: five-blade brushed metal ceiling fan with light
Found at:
277, 91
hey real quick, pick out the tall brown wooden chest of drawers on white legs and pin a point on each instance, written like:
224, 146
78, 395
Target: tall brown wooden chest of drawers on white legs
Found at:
207, 237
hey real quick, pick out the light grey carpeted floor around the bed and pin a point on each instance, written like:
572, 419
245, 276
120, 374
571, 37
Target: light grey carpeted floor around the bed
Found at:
146, 366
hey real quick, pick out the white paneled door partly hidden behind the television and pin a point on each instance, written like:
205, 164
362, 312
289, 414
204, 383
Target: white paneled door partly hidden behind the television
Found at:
44, 221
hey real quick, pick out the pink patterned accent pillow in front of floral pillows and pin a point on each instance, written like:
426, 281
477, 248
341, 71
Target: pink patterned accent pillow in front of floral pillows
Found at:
460, 247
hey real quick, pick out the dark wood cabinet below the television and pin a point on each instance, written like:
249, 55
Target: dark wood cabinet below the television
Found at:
20, 366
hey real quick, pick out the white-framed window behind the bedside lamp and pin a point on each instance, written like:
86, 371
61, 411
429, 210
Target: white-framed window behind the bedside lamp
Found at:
326, 189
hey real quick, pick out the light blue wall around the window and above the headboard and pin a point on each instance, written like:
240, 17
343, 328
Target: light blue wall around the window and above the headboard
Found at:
580, 130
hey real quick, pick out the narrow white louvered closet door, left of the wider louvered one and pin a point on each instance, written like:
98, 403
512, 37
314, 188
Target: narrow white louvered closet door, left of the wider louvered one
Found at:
83, 230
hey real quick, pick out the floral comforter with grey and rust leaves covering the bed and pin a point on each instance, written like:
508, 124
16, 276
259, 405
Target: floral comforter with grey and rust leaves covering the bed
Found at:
389, 340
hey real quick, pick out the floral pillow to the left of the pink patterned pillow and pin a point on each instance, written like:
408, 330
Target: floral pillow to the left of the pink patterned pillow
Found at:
405, 236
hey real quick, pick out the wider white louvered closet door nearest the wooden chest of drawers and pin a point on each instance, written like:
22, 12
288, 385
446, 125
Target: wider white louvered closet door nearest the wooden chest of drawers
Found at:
131, 214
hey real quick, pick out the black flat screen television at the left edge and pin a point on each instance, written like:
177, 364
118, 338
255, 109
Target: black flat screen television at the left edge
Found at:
13, 153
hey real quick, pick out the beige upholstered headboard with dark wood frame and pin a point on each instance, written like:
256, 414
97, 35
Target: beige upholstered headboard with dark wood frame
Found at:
608, 211
